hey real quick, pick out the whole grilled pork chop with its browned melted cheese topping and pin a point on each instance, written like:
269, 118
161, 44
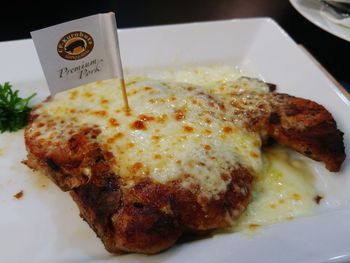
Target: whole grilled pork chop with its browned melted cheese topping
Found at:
182, 162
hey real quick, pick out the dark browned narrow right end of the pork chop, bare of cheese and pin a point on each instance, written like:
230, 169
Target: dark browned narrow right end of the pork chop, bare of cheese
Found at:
308, 128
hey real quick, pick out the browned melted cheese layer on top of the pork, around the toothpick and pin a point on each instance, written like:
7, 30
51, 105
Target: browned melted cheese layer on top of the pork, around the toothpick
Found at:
174, 132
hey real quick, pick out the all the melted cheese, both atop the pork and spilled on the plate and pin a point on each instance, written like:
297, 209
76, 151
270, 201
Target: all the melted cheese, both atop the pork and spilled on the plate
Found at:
177, 132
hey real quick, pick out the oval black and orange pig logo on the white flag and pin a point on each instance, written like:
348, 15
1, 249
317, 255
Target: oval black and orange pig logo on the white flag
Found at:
75, 45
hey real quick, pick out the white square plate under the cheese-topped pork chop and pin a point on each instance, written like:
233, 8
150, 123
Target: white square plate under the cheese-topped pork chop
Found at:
44, 226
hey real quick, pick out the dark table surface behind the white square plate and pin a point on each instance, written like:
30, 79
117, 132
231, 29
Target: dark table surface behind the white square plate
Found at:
18, 18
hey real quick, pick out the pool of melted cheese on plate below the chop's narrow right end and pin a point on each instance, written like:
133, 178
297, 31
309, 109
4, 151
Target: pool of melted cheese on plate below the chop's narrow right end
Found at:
283, 191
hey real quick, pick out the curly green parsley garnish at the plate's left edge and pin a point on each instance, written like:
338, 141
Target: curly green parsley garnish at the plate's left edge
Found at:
13, 109
